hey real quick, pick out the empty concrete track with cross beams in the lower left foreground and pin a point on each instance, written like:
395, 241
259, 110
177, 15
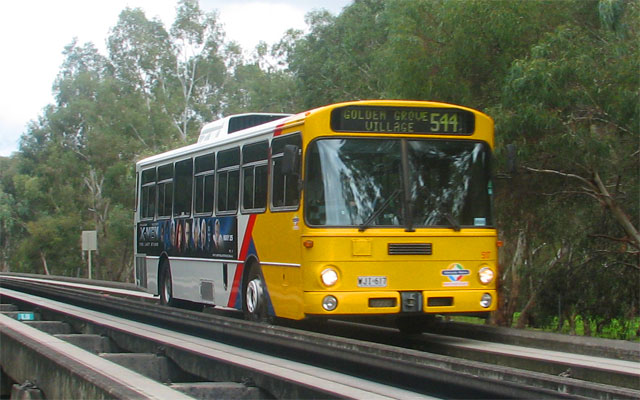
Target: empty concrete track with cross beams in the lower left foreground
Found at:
163, 355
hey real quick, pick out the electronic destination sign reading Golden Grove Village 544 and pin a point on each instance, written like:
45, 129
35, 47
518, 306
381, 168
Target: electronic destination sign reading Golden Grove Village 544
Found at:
424, 120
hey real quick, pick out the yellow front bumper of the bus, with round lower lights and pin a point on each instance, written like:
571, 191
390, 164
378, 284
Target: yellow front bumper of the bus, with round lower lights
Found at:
393, 302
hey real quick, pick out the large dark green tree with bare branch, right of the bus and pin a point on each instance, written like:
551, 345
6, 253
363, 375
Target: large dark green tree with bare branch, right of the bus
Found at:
571, 106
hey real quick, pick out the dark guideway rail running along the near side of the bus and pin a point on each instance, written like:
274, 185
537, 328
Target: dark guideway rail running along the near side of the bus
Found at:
420, 372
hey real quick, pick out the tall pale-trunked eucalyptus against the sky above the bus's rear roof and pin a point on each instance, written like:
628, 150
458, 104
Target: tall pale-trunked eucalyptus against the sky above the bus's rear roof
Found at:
177, 74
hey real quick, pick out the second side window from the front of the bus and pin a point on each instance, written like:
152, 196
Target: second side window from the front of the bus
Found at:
254, 177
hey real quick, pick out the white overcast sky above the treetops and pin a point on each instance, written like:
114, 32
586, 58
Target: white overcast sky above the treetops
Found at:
35, 32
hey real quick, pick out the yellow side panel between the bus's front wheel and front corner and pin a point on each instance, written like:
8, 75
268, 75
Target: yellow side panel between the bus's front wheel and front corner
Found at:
277, 240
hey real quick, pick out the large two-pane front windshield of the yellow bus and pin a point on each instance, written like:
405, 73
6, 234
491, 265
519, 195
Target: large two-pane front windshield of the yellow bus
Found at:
361, 182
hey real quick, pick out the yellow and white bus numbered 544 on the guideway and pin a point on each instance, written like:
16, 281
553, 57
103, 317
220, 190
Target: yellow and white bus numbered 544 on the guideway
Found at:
364, 208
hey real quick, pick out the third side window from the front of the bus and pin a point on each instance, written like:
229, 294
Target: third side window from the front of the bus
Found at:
228, 176
